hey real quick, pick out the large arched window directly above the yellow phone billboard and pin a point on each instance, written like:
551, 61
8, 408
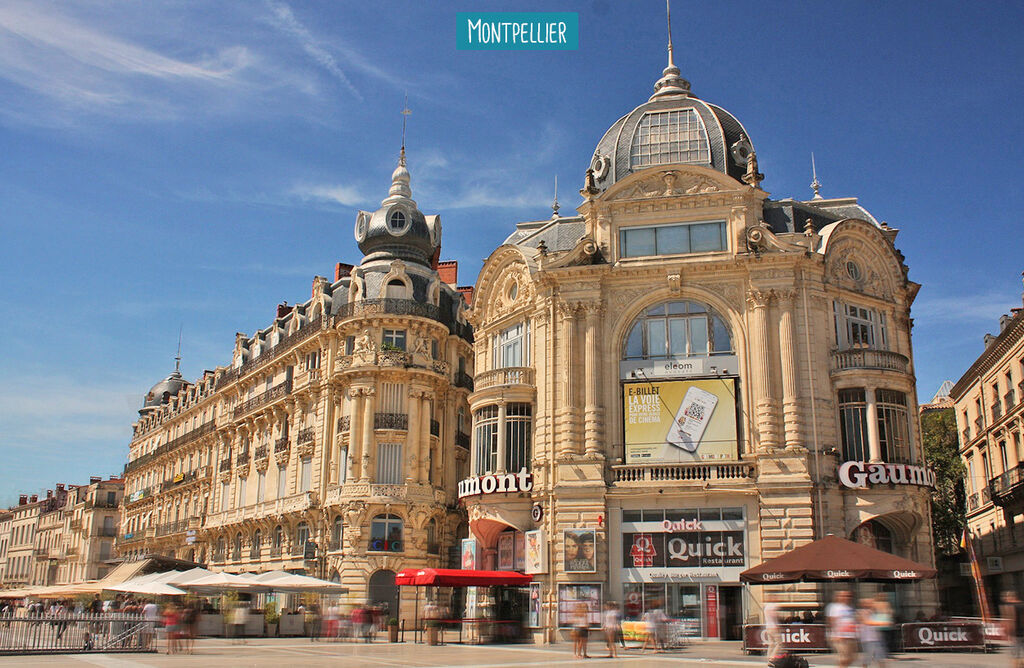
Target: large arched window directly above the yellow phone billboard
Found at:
677, 329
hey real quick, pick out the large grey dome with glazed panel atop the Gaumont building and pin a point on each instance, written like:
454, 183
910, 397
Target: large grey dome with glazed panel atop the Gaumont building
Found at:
672, 128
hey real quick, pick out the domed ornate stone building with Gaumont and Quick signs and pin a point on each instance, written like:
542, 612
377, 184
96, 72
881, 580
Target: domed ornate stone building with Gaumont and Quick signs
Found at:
689, 378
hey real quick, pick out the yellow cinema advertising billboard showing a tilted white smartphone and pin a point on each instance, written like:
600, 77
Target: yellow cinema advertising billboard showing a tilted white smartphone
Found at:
680, 421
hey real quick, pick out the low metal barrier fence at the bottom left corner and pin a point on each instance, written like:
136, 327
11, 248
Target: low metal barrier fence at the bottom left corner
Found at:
73, 634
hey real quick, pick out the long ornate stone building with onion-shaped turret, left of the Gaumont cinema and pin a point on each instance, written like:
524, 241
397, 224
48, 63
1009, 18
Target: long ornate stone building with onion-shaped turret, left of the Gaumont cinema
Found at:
332, 442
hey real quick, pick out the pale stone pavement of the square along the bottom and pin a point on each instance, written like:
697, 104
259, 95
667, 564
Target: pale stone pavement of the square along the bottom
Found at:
291, 653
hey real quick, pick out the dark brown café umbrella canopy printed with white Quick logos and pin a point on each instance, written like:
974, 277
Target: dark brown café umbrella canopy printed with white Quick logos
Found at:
836, 560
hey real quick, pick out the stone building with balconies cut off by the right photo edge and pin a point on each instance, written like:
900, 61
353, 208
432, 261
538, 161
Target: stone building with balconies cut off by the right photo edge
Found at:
990, 407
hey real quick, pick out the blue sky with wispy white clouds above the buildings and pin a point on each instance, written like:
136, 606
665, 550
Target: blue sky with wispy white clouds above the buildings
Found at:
170, 166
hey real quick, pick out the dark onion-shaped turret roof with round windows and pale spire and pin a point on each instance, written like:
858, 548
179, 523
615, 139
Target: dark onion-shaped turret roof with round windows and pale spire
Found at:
398, 230
